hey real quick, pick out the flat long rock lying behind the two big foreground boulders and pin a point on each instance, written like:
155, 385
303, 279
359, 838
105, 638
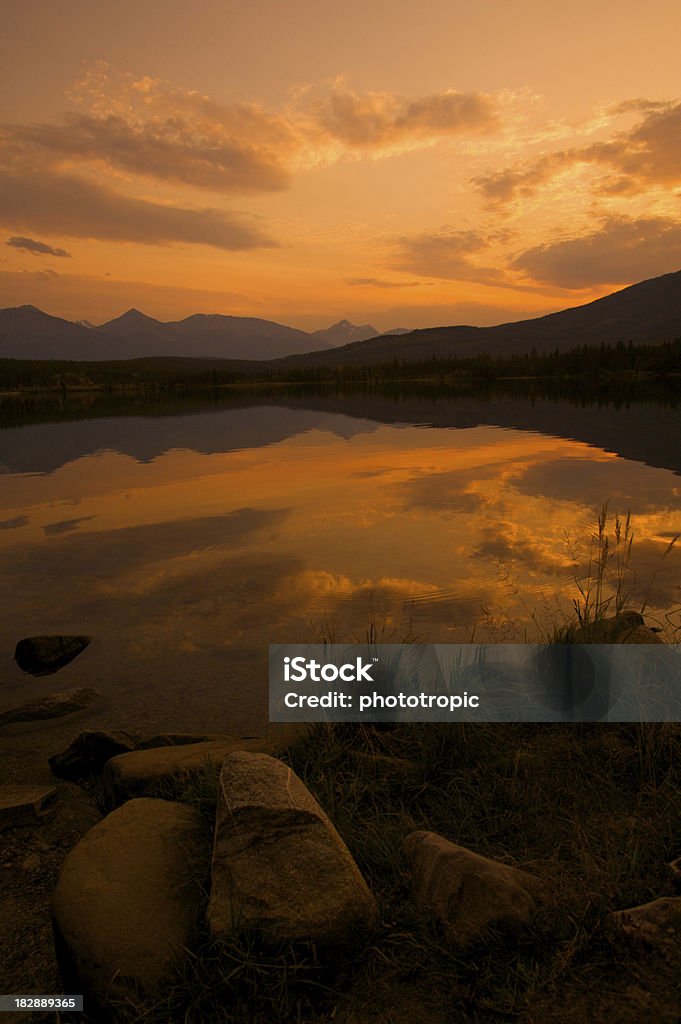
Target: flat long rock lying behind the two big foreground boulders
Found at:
142, 773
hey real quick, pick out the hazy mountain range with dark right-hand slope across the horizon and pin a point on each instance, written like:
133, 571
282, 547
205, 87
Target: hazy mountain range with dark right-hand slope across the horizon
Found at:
648, 313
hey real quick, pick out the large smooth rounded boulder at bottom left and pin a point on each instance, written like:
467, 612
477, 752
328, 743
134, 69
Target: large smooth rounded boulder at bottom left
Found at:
126, 906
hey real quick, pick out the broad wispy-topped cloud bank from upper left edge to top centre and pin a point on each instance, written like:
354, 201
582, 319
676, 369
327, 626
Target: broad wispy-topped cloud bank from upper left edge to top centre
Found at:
153, 129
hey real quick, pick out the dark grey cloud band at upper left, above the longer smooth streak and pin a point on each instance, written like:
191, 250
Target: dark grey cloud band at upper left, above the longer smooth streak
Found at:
172, 150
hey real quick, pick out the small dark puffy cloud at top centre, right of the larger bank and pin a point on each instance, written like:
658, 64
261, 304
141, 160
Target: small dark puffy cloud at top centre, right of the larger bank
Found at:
384, 119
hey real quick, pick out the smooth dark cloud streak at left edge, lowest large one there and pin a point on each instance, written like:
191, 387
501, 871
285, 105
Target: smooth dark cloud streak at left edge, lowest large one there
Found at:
72, 206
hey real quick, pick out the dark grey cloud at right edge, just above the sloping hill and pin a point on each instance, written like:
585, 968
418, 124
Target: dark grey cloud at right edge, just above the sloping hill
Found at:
621, 251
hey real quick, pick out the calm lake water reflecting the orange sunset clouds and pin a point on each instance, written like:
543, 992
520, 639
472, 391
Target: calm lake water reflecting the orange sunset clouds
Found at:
186, 544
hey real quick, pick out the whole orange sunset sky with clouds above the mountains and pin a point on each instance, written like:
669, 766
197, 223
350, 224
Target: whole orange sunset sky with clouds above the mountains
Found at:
310, 161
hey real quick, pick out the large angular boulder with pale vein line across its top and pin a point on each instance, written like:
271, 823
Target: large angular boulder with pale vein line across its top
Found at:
280, 869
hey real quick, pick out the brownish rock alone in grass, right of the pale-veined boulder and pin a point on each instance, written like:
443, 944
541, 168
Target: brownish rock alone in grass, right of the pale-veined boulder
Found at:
470, 895
